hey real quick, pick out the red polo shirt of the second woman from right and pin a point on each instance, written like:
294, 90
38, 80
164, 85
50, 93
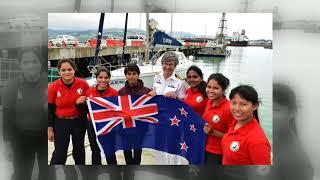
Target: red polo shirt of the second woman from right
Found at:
219, 118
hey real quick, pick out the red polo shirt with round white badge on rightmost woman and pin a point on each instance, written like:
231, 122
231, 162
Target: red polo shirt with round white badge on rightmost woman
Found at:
247, 145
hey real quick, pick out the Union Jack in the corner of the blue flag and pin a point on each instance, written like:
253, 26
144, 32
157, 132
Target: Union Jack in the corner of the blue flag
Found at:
121, 110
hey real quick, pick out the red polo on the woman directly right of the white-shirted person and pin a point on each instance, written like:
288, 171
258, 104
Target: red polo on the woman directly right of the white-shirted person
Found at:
196, 101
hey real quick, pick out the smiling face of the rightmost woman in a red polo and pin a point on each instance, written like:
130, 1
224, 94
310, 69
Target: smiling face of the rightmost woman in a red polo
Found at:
242, 109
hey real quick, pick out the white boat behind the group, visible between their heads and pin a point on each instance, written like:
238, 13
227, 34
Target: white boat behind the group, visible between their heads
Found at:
147, 72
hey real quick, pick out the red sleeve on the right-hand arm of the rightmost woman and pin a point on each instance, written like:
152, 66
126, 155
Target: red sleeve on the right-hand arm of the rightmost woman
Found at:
260, 153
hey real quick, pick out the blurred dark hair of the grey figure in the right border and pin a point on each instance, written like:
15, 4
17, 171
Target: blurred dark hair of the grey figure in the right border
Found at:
284, 95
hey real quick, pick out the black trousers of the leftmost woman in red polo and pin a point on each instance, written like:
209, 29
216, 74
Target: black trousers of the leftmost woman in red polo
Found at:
62, 130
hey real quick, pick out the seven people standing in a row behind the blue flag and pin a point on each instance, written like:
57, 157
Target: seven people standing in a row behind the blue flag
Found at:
234, 136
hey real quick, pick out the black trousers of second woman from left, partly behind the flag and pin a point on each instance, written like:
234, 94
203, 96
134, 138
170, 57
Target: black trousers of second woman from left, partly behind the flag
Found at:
96, 156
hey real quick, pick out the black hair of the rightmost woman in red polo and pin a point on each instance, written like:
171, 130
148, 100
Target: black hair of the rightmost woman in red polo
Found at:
248, 93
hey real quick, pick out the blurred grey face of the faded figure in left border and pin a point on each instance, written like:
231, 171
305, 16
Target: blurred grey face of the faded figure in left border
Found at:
30, 65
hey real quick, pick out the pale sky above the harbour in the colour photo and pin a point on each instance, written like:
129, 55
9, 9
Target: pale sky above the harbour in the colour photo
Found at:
257, 25
